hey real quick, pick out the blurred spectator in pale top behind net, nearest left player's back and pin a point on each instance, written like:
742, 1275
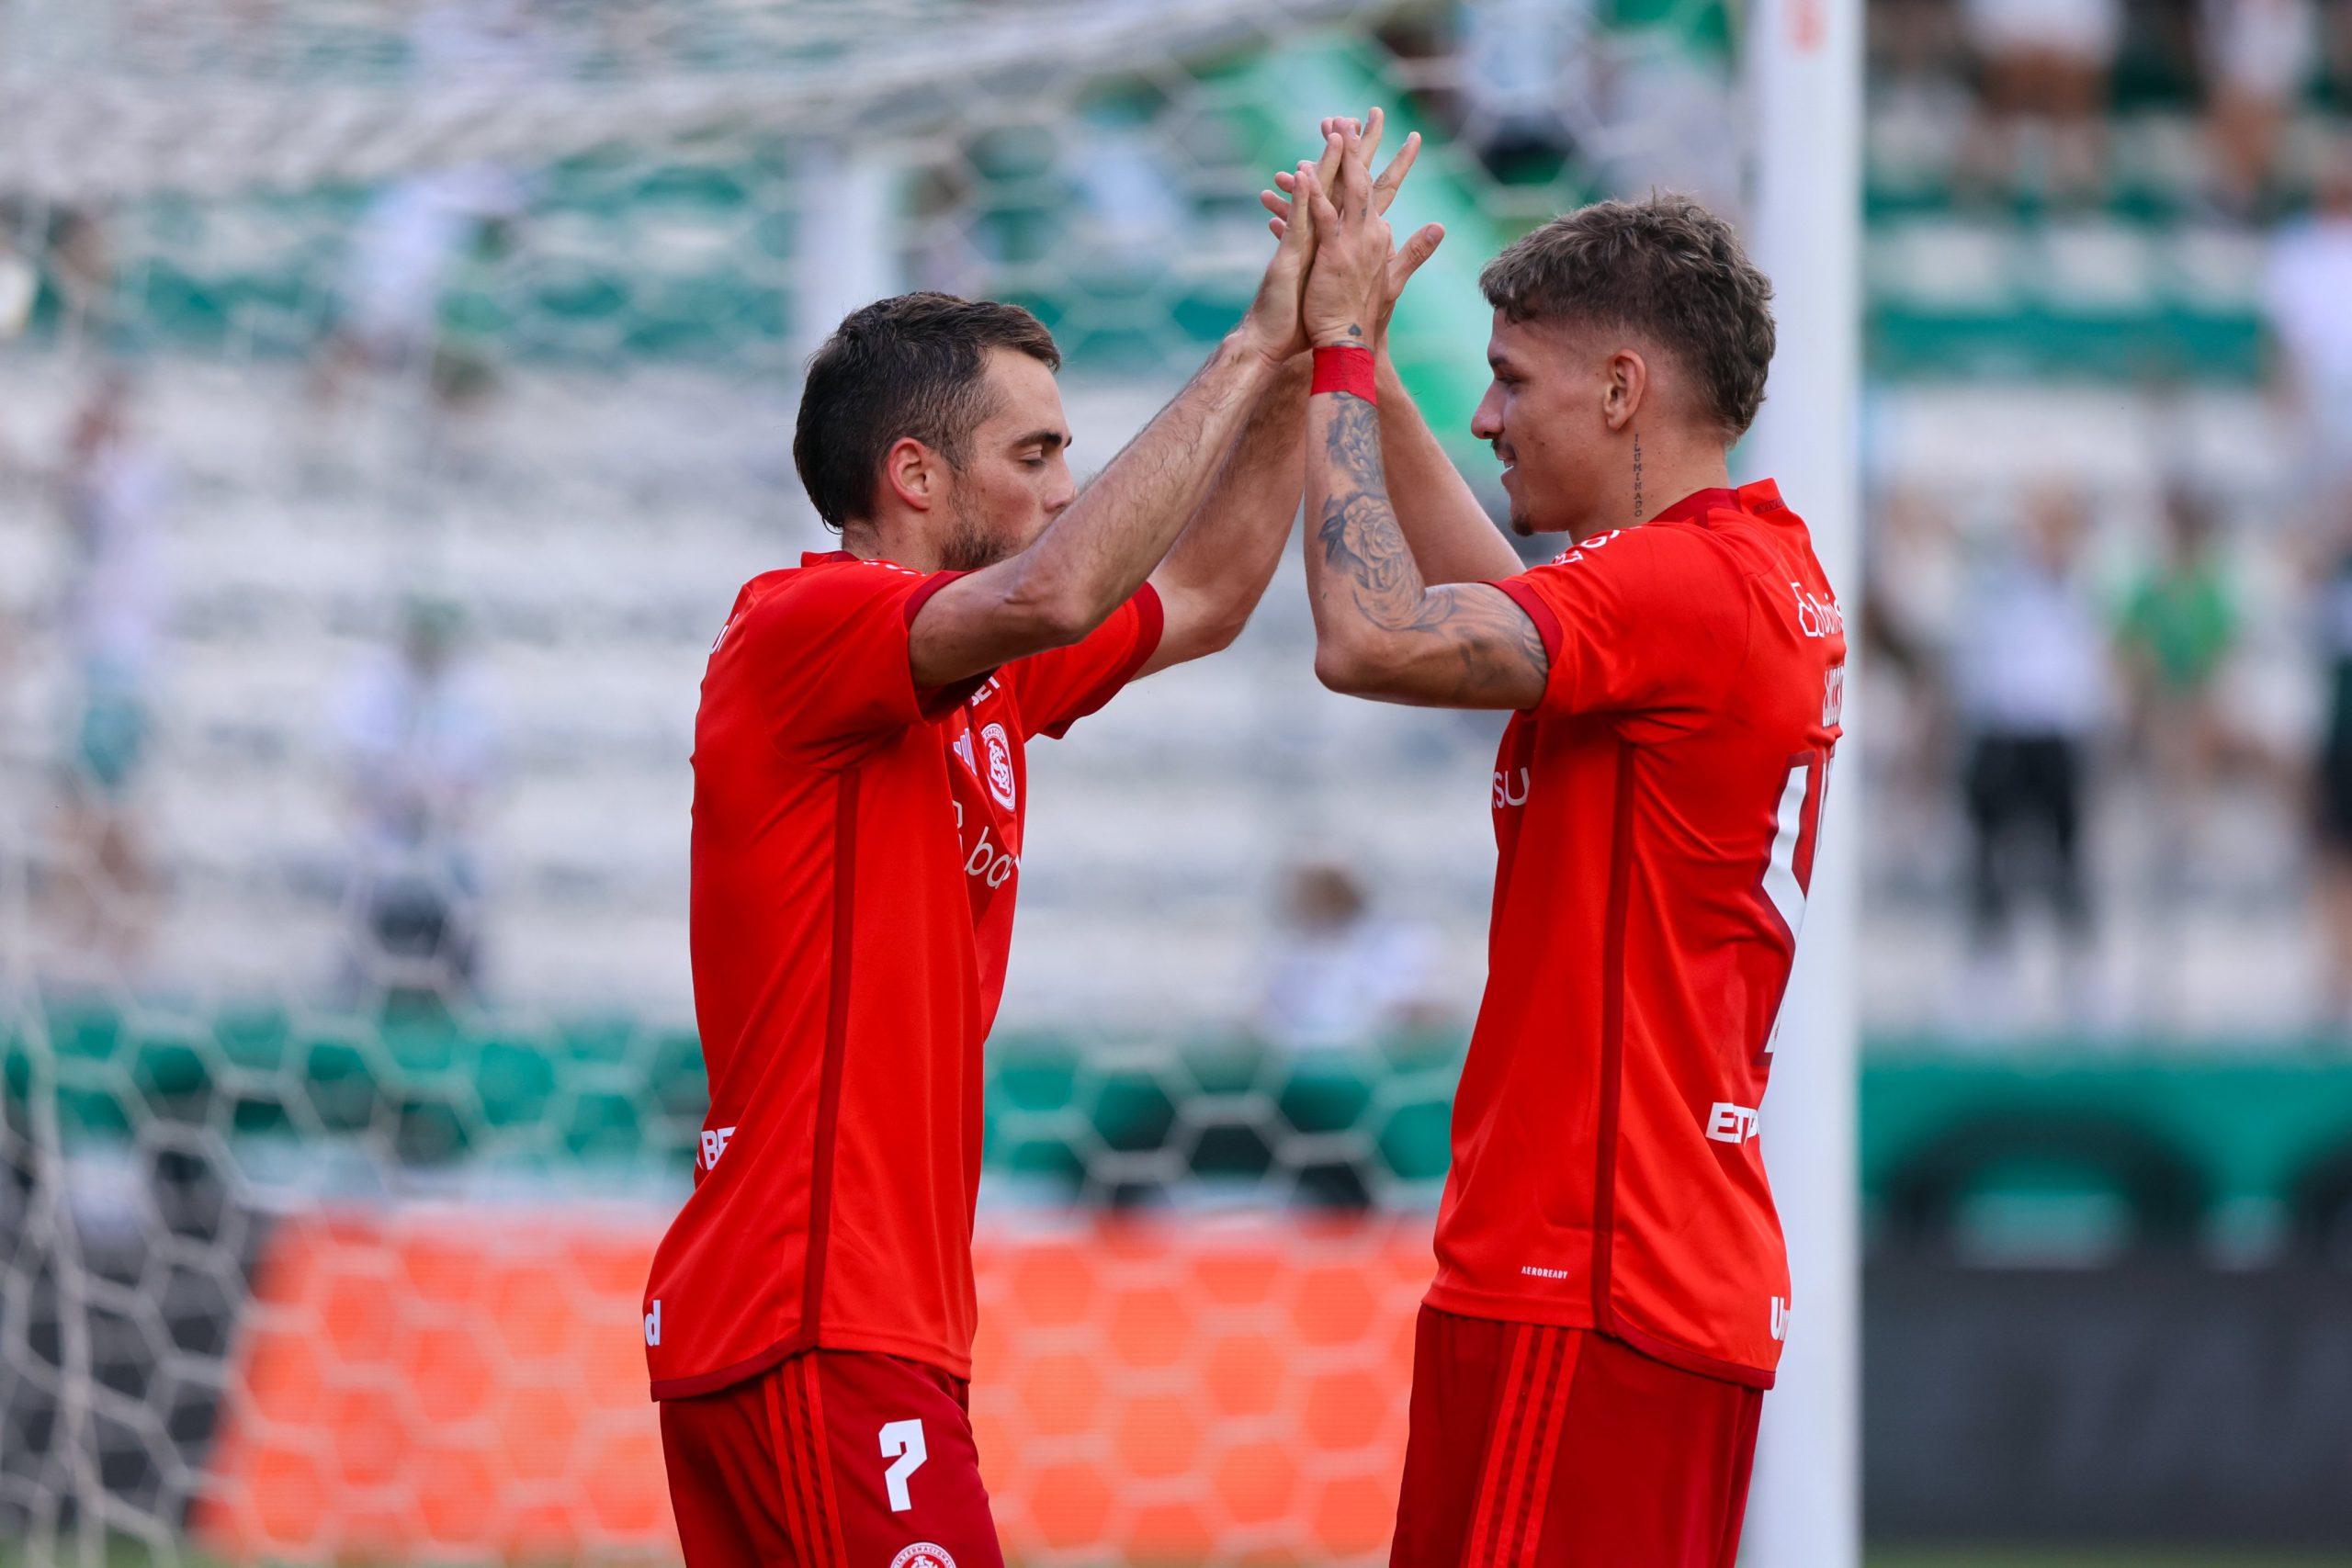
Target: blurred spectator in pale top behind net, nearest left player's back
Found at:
417, 758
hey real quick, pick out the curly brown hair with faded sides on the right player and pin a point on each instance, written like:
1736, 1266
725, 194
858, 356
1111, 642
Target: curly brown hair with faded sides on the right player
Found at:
1666, 269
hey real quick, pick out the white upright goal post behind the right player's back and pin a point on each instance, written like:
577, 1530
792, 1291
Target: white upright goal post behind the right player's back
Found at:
1805, 74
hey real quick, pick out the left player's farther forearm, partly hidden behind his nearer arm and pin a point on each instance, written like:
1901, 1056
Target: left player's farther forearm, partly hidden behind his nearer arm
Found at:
1229, 554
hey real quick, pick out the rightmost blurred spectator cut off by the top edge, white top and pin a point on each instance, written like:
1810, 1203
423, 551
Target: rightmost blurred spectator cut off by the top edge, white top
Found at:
2259, 55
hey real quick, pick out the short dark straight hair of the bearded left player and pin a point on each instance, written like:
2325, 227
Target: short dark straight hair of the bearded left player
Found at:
900, 368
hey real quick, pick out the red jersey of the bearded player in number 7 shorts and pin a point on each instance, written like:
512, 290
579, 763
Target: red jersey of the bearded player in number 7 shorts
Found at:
857, 850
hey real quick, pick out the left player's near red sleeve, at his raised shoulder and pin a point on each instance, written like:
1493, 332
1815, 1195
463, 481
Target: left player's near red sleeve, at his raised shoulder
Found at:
827, 655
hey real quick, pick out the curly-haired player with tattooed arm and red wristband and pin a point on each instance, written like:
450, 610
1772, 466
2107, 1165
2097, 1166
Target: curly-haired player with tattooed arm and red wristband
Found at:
1612, 1289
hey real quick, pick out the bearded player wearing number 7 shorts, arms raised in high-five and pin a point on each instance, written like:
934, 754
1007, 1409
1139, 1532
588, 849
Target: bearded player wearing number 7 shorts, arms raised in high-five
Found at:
860, 793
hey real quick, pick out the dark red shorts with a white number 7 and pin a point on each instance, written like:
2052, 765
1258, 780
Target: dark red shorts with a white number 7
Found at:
831, 1461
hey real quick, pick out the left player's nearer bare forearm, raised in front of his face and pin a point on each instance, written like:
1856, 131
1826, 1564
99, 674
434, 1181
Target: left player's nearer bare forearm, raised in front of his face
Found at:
1121, 528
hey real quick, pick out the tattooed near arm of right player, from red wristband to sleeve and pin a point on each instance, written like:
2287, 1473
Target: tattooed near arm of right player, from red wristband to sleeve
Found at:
1492, 638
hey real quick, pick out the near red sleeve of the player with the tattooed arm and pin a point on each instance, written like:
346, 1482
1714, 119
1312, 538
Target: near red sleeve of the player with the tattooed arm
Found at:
1643, 622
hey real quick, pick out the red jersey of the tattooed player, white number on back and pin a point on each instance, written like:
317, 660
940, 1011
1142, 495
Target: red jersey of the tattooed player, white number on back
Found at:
1655, 819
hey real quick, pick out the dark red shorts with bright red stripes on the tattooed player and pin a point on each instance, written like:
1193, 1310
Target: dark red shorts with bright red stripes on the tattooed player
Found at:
1565, 1449
